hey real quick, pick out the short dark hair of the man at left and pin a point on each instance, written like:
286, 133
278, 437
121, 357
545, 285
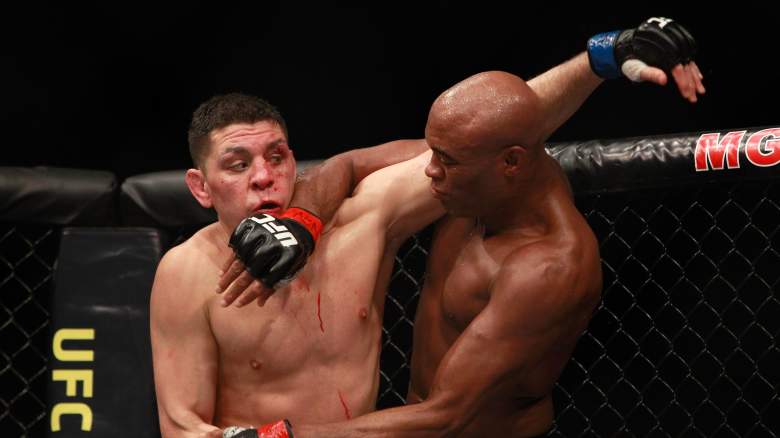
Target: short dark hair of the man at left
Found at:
224, 110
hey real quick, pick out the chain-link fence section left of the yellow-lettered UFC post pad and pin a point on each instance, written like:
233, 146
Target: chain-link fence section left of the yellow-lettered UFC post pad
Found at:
27, 255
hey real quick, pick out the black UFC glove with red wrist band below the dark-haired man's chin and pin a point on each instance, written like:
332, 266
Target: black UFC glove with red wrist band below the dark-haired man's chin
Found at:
275, 249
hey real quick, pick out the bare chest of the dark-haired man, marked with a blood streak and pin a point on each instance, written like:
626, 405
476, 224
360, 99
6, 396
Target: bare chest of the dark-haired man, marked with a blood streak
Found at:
307, 320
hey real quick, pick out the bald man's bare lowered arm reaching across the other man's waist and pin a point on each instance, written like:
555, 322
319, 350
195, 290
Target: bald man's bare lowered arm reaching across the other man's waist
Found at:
533, 314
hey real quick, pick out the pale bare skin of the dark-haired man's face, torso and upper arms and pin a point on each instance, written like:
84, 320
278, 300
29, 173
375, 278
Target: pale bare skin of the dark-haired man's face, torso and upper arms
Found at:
311, 353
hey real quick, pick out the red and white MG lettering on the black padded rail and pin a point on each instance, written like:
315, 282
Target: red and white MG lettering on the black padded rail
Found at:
762, 149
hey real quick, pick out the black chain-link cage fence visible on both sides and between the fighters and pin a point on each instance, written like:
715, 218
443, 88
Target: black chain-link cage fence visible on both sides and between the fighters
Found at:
684, 343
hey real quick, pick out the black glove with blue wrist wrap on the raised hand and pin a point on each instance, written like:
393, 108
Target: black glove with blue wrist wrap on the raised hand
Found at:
659, 42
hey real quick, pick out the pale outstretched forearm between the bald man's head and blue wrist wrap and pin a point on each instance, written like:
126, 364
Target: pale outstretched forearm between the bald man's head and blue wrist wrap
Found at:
563, 89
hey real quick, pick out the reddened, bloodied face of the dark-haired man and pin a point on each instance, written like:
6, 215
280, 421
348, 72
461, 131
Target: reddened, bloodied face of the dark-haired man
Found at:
249, 169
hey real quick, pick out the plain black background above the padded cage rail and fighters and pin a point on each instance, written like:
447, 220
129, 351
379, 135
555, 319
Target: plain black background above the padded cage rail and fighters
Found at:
112, 85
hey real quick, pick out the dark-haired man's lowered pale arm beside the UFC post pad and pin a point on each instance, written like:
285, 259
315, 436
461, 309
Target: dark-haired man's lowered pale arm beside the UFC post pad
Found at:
184, 353
